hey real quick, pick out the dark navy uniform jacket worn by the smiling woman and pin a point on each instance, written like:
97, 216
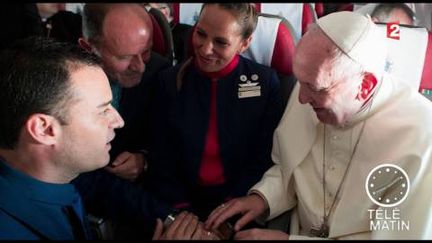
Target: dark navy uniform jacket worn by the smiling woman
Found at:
245, 130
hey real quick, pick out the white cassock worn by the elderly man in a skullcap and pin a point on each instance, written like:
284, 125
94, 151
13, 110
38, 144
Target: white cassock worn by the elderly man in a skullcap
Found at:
398, 130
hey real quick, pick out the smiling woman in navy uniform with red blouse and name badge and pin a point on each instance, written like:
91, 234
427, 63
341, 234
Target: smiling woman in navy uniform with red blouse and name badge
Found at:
216, 115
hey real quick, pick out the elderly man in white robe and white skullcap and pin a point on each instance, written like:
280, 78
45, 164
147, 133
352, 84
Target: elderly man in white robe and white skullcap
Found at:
353, 150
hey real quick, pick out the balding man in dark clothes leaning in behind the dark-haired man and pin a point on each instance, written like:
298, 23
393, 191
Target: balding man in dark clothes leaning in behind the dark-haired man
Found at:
122, 36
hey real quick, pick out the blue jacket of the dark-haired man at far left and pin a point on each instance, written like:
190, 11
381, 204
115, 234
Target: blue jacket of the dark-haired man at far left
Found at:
34, 210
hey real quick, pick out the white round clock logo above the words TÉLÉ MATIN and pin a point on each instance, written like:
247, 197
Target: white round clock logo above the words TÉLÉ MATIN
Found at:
387, 185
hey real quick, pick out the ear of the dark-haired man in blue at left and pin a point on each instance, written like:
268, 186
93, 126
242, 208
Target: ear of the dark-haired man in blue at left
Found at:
43, 128
